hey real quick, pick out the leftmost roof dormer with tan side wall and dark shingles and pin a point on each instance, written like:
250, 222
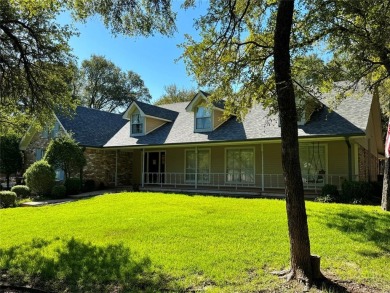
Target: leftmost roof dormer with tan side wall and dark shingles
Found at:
145, 118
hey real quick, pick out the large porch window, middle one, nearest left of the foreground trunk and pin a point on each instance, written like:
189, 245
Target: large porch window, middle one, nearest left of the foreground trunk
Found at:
240, 165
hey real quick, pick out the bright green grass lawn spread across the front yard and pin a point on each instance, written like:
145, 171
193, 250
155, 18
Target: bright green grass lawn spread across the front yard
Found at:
156, 242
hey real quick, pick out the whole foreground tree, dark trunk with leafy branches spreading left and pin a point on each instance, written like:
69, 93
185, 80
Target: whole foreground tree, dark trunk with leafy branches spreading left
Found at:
244, 53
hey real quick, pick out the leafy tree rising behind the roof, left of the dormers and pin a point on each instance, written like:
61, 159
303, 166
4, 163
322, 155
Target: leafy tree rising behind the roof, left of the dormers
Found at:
105, 87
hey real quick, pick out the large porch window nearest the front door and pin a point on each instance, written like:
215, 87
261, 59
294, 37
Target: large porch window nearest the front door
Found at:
199, 164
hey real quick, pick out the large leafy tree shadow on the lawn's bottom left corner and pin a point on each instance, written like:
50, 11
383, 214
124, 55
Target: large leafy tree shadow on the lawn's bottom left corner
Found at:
74, 266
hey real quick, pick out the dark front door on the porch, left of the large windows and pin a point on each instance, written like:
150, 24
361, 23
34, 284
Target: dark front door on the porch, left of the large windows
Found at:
154, 163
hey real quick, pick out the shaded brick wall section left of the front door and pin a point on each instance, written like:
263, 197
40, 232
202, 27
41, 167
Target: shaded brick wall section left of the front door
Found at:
101, 166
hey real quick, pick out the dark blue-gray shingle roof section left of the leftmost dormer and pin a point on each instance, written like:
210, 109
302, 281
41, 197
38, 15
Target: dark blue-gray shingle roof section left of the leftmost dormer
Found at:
92, 127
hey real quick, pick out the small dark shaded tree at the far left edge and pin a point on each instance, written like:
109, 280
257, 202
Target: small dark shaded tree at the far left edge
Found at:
11, 160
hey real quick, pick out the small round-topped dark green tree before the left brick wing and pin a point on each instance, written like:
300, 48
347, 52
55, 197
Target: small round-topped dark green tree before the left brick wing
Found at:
64, 153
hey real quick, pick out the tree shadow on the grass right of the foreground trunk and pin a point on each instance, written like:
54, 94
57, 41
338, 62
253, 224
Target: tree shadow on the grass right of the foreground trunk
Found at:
361, 226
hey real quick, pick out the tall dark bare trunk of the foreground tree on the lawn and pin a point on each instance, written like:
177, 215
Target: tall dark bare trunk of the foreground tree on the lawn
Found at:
295, 203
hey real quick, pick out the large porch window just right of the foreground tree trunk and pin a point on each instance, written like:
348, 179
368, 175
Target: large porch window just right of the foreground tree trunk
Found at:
313, 162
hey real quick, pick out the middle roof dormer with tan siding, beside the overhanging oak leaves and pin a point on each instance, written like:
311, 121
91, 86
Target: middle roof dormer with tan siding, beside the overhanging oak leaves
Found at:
206, 117
